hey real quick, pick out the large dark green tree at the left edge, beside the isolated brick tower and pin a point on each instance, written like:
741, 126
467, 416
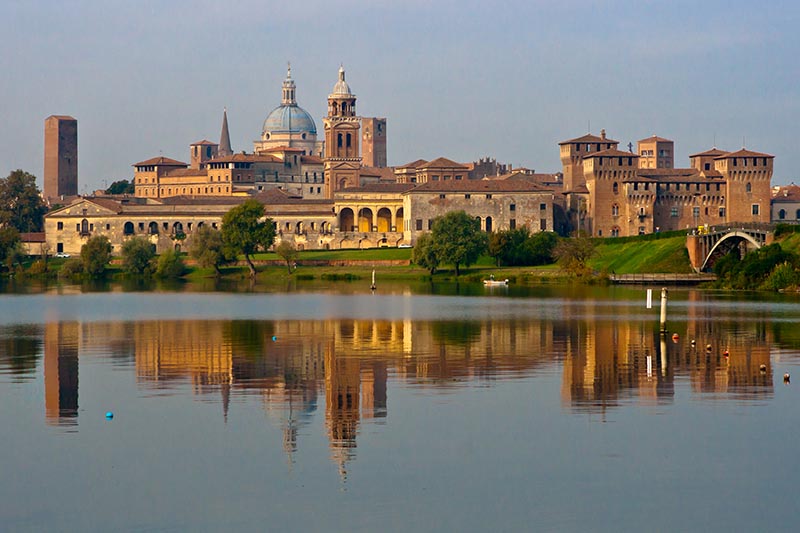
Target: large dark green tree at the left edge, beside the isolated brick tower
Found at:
21, 205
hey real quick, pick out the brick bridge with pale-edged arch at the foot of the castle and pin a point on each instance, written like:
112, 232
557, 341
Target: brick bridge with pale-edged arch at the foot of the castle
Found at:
706, 245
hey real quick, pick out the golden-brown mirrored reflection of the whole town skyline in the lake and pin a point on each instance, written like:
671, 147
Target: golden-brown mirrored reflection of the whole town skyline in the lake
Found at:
290, 365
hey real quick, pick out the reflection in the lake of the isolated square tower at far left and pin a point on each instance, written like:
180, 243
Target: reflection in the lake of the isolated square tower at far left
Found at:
61, 342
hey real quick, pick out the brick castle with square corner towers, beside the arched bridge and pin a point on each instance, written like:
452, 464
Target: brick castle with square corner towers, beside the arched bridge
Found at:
624, 193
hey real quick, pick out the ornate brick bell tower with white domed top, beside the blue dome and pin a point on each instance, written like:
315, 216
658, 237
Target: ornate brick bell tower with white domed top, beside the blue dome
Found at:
342, 136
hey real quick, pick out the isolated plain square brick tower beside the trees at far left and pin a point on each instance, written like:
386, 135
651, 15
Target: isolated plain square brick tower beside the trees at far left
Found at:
60, 157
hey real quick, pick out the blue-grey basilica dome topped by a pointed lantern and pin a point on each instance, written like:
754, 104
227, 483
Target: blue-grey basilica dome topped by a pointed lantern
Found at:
289, 125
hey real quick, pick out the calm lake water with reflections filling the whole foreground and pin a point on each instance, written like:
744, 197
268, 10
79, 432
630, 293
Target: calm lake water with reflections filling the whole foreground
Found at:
327, 408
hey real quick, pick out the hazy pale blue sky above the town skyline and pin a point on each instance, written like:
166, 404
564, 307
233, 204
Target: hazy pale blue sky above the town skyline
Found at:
456, 79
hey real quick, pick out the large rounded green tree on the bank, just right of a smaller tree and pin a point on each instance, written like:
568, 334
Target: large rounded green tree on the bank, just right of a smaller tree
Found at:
458, 239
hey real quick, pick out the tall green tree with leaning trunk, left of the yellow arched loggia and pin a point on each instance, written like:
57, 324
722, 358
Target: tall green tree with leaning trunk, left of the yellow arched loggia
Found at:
245, 233
